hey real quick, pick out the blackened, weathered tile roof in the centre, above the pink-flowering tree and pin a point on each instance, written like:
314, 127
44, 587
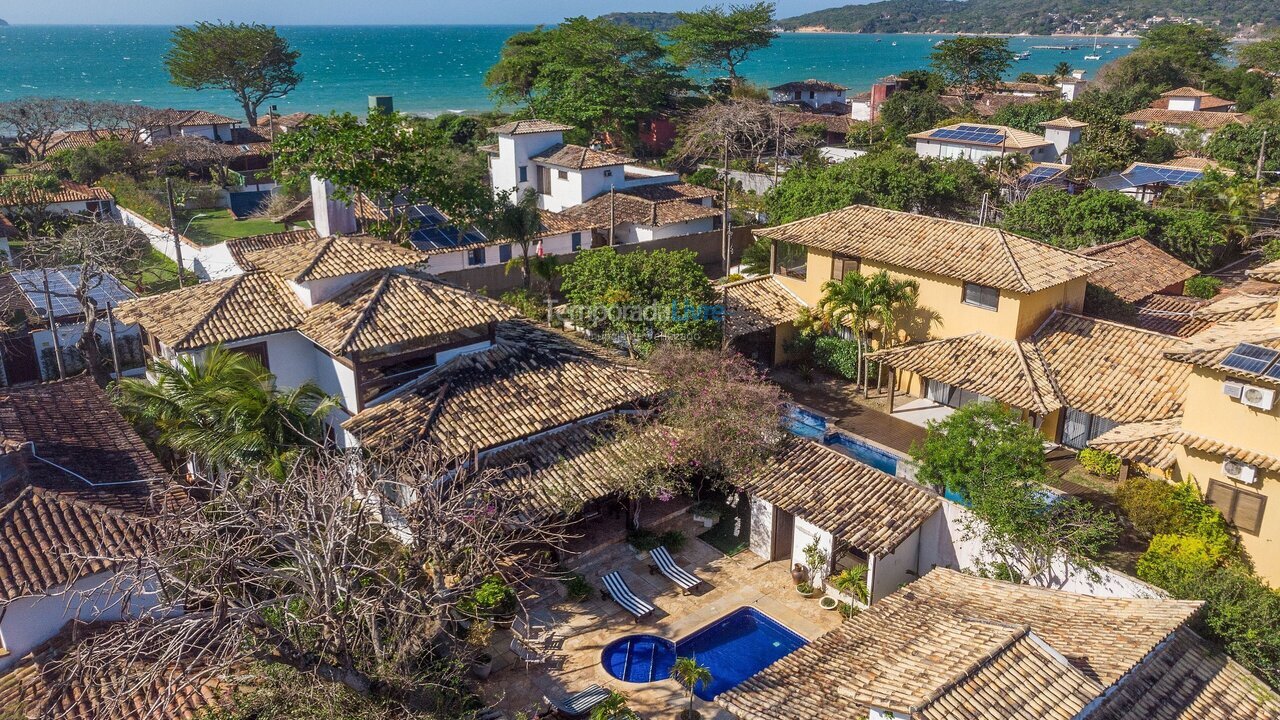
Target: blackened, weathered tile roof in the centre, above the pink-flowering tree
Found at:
529, 382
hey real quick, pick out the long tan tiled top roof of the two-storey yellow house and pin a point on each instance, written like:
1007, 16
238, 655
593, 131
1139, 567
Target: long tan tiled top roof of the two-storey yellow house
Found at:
952, 249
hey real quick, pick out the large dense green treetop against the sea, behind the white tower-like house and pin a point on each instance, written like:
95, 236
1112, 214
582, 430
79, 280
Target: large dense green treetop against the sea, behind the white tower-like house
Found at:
592, 74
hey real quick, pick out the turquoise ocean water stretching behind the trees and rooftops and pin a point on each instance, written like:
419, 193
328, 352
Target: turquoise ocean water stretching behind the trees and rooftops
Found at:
427, 69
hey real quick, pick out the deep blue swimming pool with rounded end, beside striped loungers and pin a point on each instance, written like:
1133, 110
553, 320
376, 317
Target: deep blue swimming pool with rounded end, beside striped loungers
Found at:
734, 648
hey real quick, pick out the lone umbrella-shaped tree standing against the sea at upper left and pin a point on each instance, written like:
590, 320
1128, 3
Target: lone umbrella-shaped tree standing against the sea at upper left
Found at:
253, 62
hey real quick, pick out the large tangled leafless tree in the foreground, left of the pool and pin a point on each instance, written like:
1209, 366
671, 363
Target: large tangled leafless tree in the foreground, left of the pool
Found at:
350, 569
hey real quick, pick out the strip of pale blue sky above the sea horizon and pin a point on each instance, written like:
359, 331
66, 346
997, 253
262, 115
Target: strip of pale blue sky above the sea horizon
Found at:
346, 12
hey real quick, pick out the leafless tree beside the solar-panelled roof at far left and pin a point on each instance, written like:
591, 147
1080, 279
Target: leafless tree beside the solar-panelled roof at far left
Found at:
100, 252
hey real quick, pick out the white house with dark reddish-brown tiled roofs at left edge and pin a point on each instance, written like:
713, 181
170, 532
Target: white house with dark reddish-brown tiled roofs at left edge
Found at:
76, 482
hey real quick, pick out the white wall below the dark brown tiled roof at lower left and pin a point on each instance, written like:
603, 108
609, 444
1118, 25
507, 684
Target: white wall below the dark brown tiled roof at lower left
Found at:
28, 622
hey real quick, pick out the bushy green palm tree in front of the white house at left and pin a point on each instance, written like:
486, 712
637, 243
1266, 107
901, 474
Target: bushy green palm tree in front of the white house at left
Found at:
223, 411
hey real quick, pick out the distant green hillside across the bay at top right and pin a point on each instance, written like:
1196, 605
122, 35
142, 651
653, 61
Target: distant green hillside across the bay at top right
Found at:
1035, 17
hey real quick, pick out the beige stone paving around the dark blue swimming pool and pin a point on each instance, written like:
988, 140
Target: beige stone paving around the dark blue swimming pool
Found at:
587, 628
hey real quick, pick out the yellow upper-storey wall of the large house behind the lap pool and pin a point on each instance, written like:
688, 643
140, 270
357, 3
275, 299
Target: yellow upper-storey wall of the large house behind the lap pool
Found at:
941, 309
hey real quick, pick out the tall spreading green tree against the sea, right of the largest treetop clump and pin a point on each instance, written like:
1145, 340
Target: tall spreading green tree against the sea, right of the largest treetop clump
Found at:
720, 39
